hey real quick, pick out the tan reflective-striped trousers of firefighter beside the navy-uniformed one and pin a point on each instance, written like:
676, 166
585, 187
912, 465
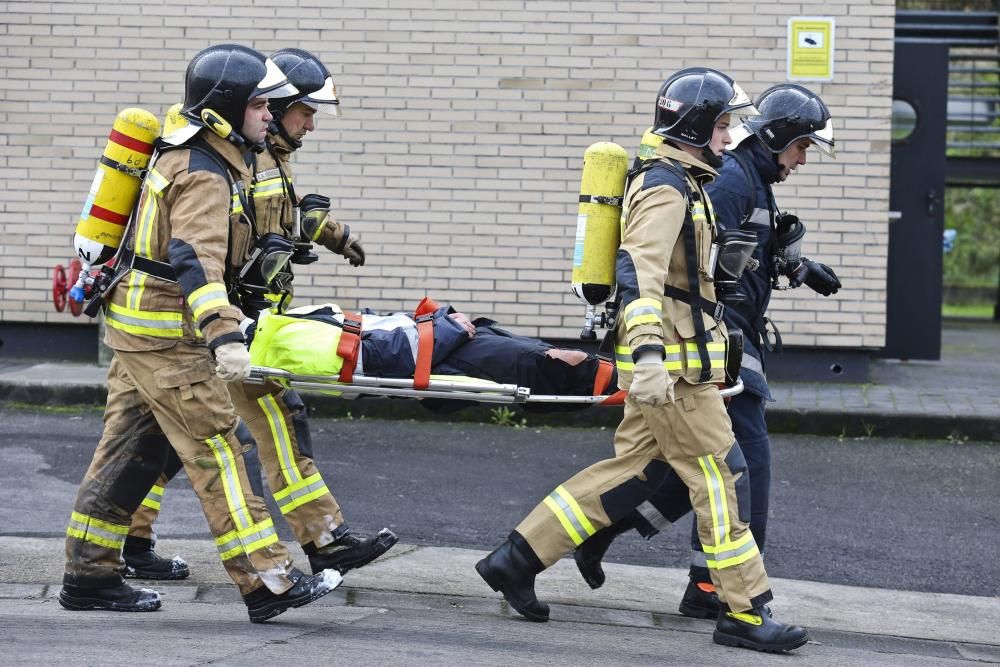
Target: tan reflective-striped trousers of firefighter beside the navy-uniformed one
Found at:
694, 436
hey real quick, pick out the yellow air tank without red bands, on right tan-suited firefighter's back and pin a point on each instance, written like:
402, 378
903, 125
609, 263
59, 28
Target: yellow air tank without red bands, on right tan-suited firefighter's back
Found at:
602, 188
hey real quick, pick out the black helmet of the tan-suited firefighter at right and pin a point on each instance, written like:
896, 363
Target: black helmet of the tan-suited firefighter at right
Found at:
692, 100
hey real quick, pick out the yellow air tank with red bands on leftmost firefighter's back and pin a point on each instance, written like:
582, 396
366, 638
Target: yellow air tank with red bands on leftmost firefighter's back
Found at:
116, 185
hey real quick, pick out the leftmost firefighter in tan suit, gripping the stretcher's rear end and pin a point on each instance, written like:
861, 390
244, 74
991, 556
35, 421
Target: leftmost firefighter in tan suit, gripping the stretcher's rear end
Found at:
177, 341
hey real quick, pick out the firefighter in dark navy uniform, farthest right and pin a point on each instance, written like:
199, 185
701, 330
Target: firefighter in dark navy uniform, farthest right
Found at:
766, 149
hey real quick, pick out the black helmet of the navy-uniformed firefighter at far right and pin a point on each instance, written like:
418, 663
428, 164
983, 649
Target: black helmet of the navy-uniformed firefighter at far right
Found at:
788, 113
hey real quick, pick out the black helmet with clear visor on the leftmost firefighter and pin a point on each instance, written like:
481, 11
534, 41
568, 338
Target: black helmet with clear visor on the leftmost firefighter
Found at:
220, 82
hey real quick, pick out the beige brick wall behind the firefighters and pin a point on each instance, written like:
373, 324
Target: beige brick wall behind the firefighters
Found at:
458, 159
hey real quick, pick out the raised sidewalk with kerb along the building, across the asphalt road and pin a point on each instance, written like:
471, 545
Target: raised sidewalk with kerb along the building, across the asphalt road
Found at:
957, 397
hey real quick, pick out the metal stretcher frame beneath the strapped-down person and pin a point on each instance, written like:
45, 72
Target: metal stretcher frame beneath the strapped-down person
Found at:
467, 389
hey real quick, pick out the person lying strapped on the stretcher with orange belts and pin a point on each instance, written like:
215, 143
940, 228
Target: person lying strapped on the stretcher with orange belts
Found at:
314, 340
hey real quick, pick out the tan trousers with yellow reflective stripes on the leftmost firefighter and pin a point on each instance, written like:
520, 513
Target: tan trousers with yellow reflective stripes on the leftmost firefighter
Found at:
177, 390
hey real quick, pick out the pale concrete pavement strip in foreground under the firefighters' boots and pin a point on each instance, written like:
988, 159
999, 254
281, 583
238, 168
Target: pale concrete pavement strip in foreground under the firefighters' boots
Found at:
884, 625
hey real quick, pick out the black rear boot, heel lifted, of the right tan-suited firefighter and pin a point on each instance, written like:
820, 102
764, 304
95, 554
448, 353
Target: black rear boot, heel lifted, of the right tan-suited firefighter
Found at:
511, 570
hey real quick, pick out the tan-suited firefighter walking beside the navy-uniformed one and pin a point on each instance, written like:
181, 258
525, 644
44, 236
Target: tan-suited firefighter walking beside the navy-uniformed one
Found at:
670, 347
